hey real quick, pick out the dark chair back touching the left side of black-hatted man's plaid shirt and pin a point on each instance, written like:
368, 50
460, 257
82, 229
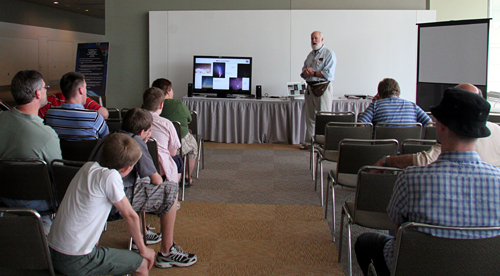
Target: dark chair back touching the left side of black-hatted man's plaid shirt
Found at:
374, 189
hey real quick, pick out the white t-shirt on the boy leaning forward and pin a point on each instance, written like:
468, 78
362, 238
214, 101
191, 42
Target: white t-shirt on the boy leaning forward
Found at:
85, 208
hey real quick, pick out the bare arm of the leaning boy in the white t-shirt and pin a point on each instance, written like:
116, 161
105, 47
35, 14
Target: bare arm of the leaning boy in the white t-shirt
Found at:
133, 226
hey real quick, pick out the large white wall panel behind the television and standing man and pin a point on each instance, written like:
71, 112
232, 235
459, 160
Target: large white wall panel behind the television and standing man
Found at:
370, 45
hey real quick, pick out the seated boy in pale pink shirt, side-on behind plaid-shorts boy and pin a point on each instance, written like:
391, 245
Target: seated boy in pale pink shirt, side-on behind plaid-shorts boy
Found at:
164, 132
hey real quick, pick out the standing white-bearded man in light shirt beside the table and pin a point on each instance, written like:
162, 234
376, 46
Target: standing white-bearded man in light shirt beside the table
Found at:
318, 71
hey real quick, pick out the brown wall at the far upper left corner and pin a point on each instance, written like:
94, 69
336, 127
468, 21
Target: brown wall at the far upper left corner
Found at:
50, 51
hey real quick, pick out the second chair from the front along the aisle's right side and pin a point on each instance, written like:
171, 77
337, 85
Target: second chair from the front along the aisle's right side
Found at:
334, 133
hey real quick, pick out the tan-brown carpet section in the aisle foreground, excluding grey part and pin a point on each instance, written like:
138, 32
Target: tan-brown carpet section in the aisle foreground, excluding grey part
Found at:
246, 239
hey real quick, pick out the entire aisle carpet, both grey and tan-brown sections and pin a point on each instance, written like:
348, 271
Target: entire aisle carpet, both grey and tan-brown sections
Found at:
254, 211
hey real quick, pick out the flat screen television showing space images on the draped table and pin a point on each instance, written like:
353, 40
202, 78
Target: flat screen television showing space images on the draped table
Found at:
222, 75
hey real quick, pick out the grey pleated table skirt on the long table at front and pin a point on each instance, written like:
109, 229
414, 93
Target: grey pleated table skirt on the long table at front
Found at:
268, 120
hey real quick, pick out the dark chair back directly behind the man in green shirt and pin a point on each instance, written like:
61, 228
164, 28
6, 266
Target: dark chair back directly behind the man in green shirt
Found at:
26, 179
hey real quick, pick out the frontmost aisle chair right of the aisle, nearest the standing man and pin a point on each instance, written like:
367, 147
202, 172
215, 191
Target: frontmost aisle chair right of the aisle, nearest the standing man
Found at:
318, 139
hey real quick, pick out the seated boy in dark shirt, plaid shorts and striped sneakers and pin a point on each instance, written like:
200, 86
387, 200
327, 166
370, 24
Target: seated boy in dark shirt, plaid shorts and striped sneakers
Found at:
147, 191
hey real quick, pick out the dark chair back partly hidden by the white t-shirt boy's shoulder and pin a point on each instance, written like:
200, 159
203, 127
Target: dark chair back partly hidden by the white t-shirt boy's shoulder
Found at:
63, 172
